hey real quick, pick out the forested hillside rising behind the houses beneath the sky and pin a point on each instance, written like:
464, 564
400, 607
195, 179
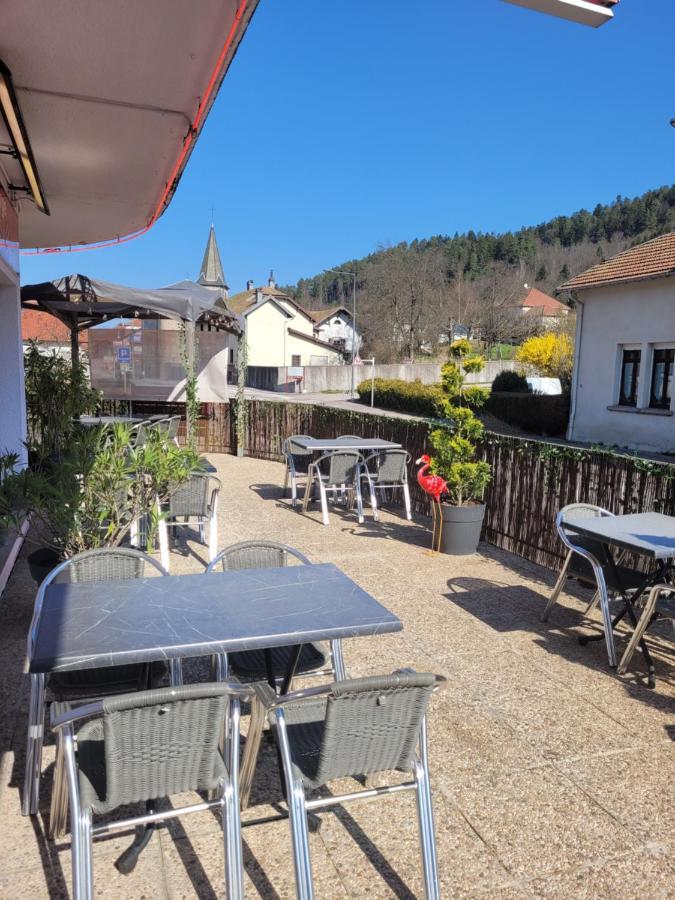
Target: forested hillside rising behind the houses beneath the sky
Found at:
412, 293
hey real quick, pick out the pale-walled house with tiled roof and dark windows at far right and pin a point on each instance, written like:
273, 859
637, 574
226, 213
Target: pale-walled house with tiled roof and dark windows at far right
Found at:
622, 383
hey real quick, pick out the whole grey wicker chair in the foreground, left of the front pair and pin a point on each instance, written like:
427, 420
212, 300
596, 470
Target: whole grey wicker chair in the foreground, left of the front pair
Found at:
141, 747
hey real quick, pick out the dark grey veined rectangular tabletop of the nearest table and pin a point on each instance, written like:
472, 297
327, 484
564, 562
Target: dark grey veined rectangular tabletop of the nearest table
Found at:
87, 626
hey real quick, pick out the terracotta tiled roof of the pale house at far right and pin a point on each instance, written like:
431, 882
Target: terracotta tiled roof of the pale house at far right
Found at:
653, 259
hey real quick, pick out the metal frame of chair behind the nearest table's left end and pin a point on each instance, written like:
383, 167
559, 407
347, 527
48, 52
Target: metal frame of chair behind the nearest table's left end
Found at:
39, 681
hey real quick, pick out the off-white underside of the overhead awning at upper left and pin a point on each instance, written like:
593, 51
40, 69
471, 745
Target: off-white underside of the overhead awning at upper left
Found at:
108, 90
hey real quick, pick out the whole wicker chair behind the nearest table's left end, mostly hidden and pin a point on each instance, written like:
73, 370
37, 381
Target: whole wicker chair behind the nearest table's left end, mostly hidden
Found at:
93, 566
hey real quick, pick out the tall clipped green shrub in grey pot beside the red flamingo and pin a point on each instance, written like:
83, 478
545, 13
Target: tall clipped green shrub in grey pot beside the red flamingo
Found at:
454, 445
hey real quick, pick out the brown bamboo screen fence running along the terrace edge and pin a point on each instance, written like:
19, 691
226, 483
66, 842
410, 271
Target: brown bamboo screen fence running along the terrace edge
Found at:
531, 480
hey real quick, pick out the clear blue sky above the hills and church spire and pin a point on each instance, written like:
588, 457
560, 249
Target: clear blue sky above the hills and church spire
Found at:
345, 124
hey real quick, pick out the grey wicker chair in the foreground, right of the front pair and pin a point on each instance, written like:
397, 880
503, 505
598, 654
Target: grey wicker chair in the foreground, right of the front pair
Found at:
353, 729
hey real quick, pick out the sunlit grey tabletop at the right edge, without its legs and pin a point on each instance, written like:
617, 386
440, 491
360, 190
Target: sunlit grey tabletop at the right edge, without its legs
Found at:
651, 534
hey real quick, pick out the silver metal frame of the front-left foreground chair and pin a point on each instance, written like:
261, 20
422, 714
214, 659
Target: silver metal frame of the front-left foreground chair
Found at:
66, 793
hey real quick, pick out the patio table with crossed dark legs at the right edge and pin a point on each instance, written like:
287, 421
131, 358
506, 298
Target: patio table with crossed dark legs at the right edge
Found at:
646, 534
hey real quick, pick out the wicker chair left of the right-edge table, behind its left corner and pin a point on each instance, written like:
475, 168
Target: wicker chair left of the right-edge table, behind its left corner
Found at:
588, 560
